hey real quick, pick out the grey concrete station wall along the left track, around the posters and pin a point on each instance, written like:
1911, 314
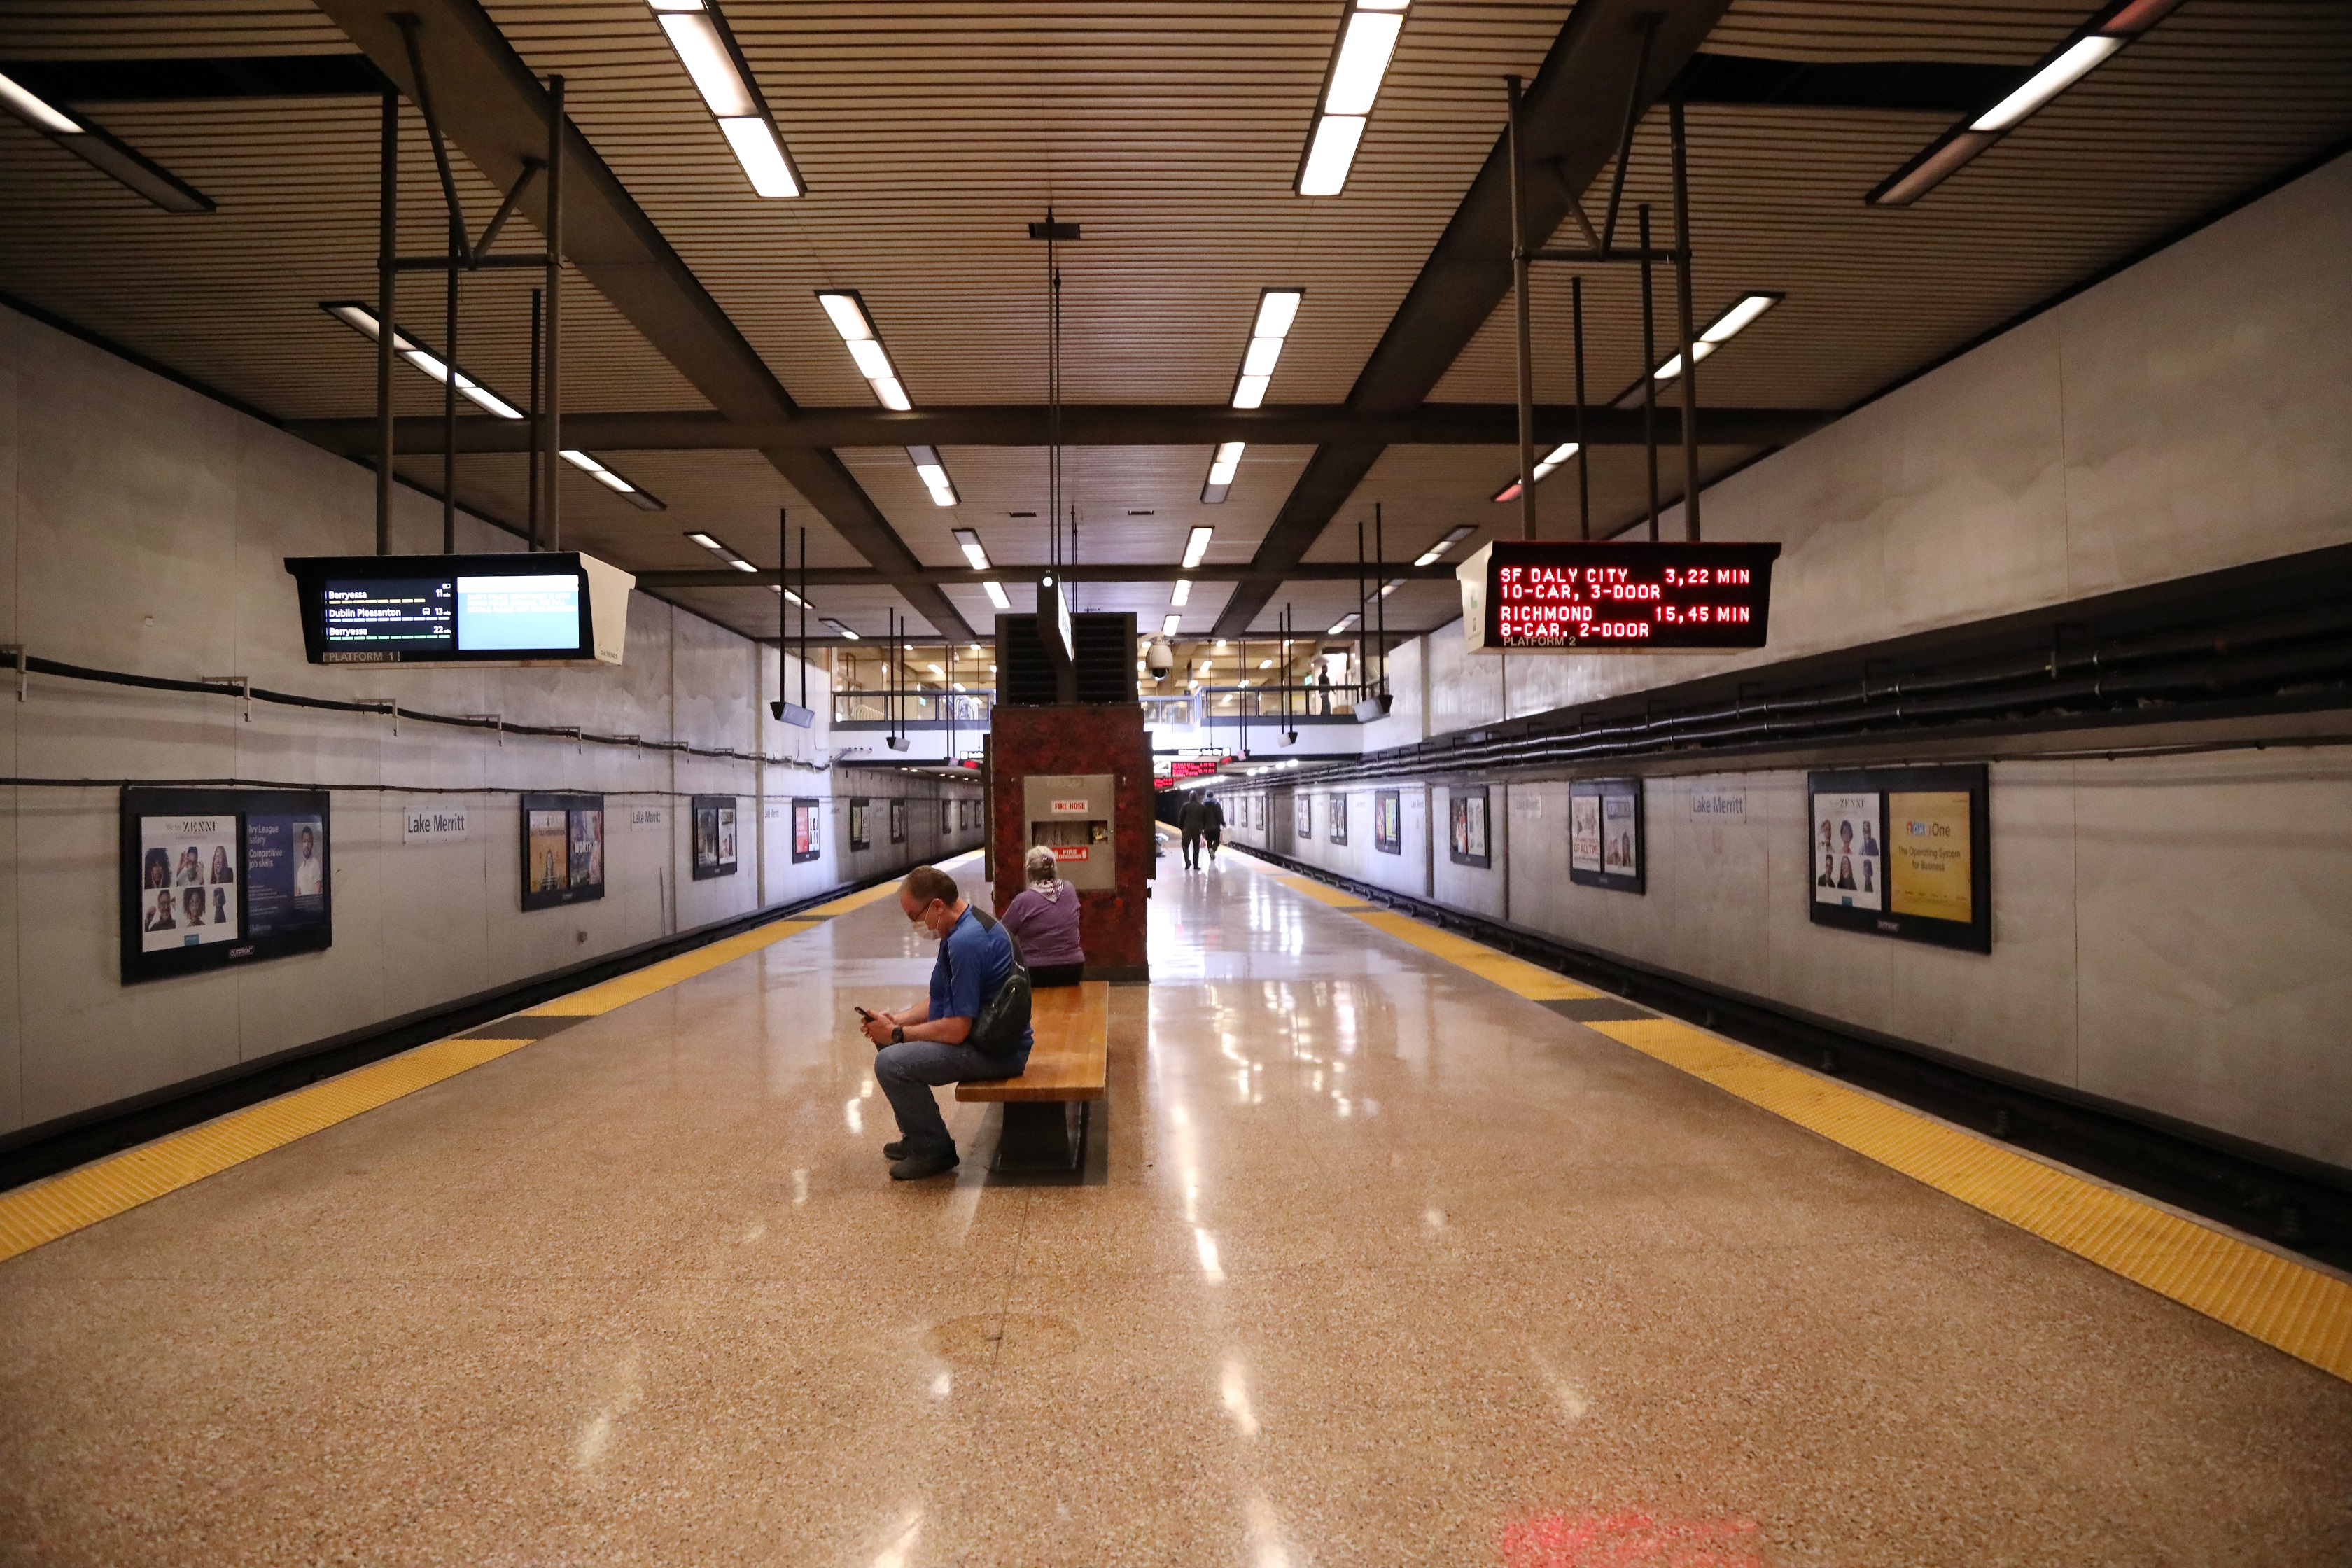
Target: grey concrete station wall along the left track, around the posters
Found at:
135, 523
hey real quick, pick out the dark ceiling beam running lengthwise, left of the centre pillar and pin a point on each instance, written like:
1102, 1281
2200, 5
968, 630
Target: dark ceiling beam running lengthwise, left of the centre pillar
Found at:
495, 109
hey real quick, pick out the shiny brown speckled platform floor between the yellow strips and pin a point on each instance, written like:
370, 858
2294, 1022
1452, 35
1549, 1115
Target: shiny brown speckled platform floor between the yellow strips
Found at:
1384, 1266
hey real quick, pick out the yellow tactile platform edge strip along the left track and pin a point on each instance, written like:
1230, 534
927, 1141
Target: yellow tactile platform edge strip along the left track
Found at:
72, 1200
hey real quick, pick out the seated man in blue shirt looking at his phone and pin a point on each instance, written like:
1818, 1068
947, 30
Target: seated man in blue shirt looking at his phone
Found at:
933, 1040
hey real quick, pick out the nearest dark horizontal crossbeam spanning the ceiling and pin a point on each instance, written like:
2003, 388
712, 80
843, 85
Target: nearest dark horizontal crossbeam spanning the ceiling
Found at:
1436, 424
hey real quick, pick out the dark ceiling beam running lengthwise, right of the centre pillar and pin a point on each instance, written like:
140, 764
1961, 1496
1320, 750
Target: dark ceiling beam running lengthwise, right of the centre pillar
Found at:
1570, 119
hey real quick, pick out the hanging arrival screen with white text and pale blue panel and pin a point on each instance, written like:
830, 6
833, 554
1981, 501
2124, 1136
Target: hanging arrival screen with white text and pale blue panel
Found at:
443, 610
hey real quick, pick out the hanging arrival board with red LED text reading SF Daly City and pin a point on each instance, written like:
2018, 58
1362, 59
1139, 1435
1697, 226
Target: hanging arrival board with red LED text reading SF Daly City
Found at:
1617, 598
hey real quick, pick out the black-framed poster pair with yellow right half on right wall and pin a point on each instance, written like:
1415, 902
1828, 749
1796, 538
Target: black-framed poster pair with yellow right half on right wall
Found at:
1918, 817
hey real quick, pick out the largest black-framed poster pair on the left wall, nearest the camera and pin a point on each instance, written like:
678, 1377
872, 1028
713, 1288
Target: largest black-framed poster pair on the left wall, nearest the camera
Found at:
234, 826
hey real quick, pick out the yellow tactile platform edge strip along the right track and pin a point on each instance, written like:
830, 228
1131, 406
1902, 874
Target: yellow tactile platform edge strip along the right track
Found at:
2261, 1294
